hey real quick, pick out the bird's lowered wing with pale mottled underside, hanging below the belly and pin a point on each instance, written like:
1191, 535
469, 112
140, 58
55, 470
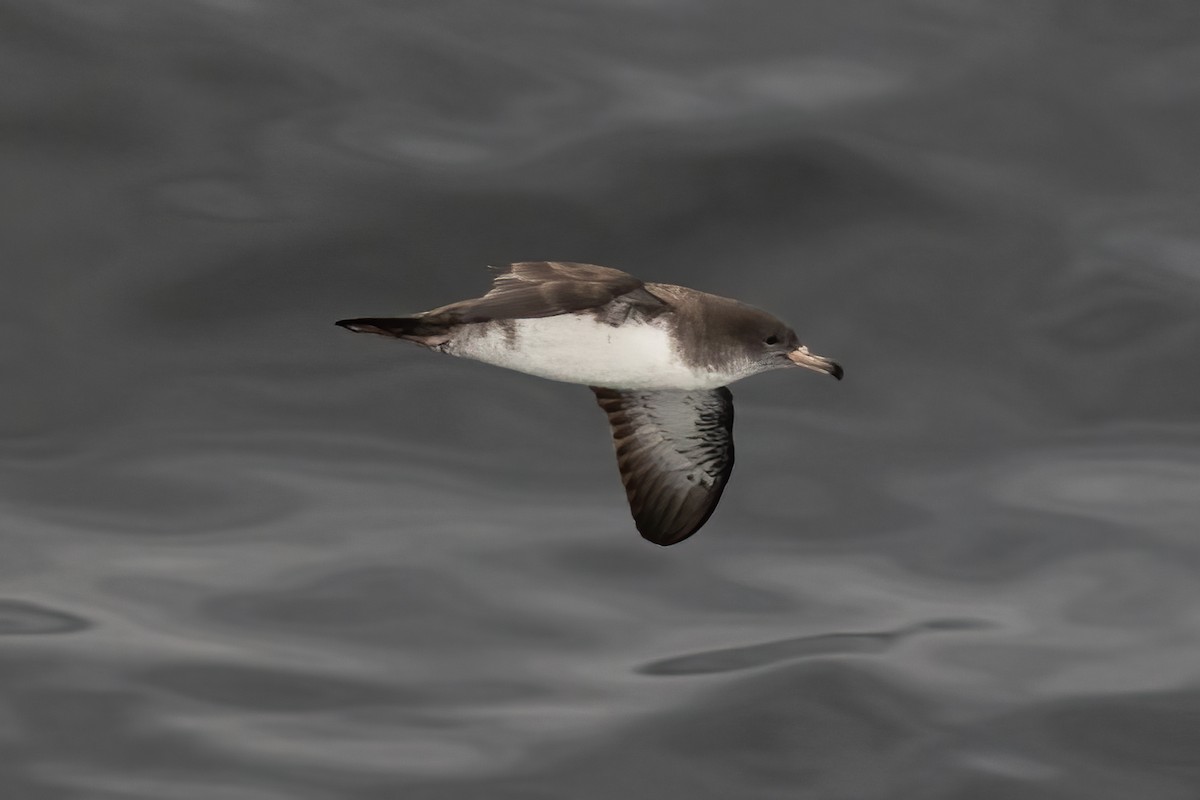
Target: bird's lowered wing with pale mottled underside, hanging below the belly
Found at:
675, 450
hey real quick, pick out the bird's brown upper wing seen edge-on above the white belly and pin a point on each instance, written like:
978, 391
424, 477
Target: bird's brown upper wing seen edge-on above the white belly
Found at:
532, 290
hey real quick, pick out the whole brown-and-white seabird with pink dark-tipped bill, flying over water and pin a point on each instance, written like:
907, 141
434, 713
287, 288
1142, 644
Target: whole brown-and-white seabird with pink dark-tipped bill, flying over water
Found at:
658, 358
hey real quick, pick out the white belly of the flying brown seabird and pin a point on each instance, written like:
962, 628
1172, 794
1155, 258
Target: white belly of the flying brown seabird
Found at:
578, 350
